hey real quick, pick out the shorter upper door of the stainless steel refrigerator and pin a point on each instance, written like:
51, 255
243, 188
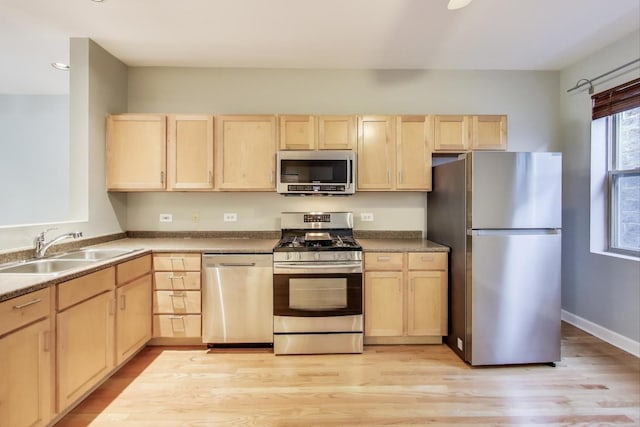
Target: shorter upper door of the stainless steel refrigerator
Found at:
515, 190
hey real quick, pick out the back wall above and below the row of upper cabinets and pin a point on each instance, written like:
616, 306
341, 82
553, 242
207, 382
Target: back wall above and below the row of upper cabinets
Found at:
528, 98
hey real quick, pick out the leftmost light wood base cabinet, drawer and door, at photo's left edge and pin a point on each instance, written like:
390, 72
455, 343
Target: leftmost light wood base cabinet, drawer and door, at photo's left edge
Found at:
26, 360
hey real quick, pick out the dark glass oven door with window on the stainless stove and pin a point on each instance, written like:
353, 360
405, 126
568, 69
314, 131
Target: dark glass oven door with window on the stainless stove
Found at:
316, 294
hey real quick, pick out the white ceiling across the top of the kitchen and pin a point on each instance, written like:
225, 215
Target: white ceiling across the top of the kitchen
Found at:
385, 34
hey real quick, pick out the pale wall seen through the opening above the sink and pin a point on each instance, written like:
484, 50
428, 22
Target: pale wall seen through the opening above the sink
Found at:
34, 164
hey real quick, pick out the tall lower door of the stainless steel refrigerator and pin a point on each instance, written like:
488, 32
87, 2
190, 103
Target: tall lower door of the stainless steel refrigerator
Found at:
514, 288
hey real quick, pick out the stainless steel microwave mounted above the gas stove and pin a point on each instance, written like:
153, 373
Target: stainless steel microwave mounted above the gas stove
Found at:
328, 172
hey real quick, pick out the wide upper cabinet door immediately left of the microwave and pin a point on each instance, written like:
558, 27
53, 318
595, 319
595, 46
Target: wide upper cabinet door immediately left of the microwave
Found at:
245, 152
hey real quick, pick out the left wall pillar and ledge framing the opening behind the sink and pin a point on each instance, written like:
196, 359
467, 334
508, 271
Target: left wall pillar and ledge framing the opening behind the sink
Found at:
98, 83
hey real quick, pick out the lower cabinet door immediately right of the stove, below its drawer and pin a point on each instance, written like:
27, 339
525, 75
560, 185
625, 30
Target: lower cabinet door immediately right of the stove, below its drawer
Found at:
383, 312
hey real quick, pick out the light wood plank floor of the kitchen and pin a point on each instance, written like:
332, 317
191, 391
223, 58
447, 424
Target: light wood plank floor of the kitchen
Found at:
594, 384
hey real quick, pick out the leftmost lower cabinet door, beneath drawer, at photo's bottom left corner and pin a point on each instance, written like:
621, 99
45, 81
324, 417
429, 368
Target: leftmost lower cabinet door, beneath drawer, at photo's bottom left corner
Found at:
25, 376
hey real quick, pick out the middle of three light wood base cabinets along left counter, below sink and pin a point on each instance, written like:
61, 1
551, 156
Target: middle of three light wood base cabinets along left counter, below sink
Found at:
85, 336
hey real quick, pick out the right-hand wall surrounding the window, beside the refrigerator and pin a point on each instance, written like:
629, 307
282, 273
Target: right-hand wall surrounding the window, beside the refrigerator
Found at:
600, 293
